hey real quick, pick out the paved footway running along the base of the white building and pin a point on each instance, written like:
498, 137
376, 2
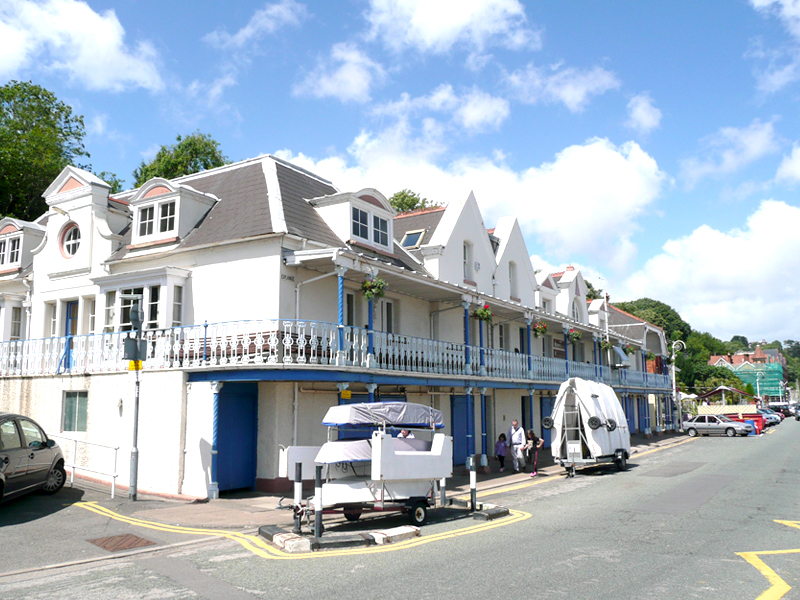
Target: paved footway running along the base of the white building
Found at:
250, 510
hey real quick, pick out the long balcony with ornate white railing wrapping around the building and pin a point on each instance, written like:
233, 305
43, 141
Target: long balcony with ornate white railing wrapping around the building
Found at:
279, 343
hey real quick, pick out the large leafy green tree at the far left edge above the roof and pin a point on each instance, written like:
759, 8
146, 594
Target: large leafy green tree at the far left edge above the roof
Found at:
39, 136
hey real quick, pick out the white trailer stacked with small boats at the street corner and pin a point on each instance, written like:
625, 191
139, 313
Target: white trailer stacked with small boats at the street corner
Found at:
383, 472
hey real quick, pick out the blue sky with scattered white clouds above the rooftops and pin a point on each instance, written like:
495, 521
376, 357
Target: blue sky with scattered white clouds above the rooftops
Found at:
653, 145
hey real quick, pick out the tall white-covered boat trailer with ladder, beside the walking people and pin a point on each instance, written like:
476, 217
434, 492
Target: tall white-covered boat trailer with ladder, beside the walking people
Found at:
589, 426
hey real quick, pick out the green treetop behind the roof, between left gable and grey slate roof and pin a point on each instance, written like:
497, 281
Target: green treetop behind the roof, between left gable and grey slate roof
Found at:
191, 154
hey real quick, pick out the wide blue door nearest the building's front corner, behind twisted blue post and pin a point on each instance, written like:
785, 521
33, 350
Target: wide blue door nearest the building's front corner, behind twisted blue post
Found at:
236, 436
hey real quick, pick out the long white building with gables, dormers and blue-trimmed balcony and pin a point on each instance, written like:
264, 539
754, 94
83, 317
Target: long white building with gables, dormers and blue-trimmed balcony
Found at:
255, 321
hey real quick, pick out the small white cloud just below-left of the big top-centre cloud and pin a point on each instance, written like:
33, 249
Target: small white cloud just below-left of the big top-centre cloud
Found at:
347, 75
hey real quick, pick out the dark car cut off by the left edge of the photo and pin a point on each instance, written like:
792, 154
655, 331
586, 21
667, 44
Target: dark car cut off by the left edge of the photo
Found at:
29, 460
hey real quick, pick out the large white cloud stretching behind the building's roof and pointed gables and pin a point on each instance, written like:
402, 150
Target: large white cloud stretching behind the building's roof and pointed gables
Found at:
587, 200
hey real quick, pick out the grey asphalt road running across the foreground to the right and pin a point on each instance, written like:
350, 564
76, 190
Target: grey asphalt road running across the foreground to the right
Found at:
674, 525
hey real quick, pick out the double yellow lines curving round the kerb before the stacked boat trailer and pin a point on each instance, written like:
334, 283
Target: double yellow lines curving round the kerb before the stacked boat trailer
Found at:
262, 548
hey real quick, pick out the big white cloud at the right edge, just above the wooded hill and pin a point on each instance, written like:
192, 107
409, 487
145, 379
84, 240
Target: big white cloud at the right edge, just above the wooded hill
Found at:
722, 283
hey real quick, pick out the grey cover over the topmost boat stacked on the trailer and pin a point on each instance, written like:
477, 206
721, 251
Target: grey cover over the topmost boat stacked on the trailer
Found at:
397, 414
